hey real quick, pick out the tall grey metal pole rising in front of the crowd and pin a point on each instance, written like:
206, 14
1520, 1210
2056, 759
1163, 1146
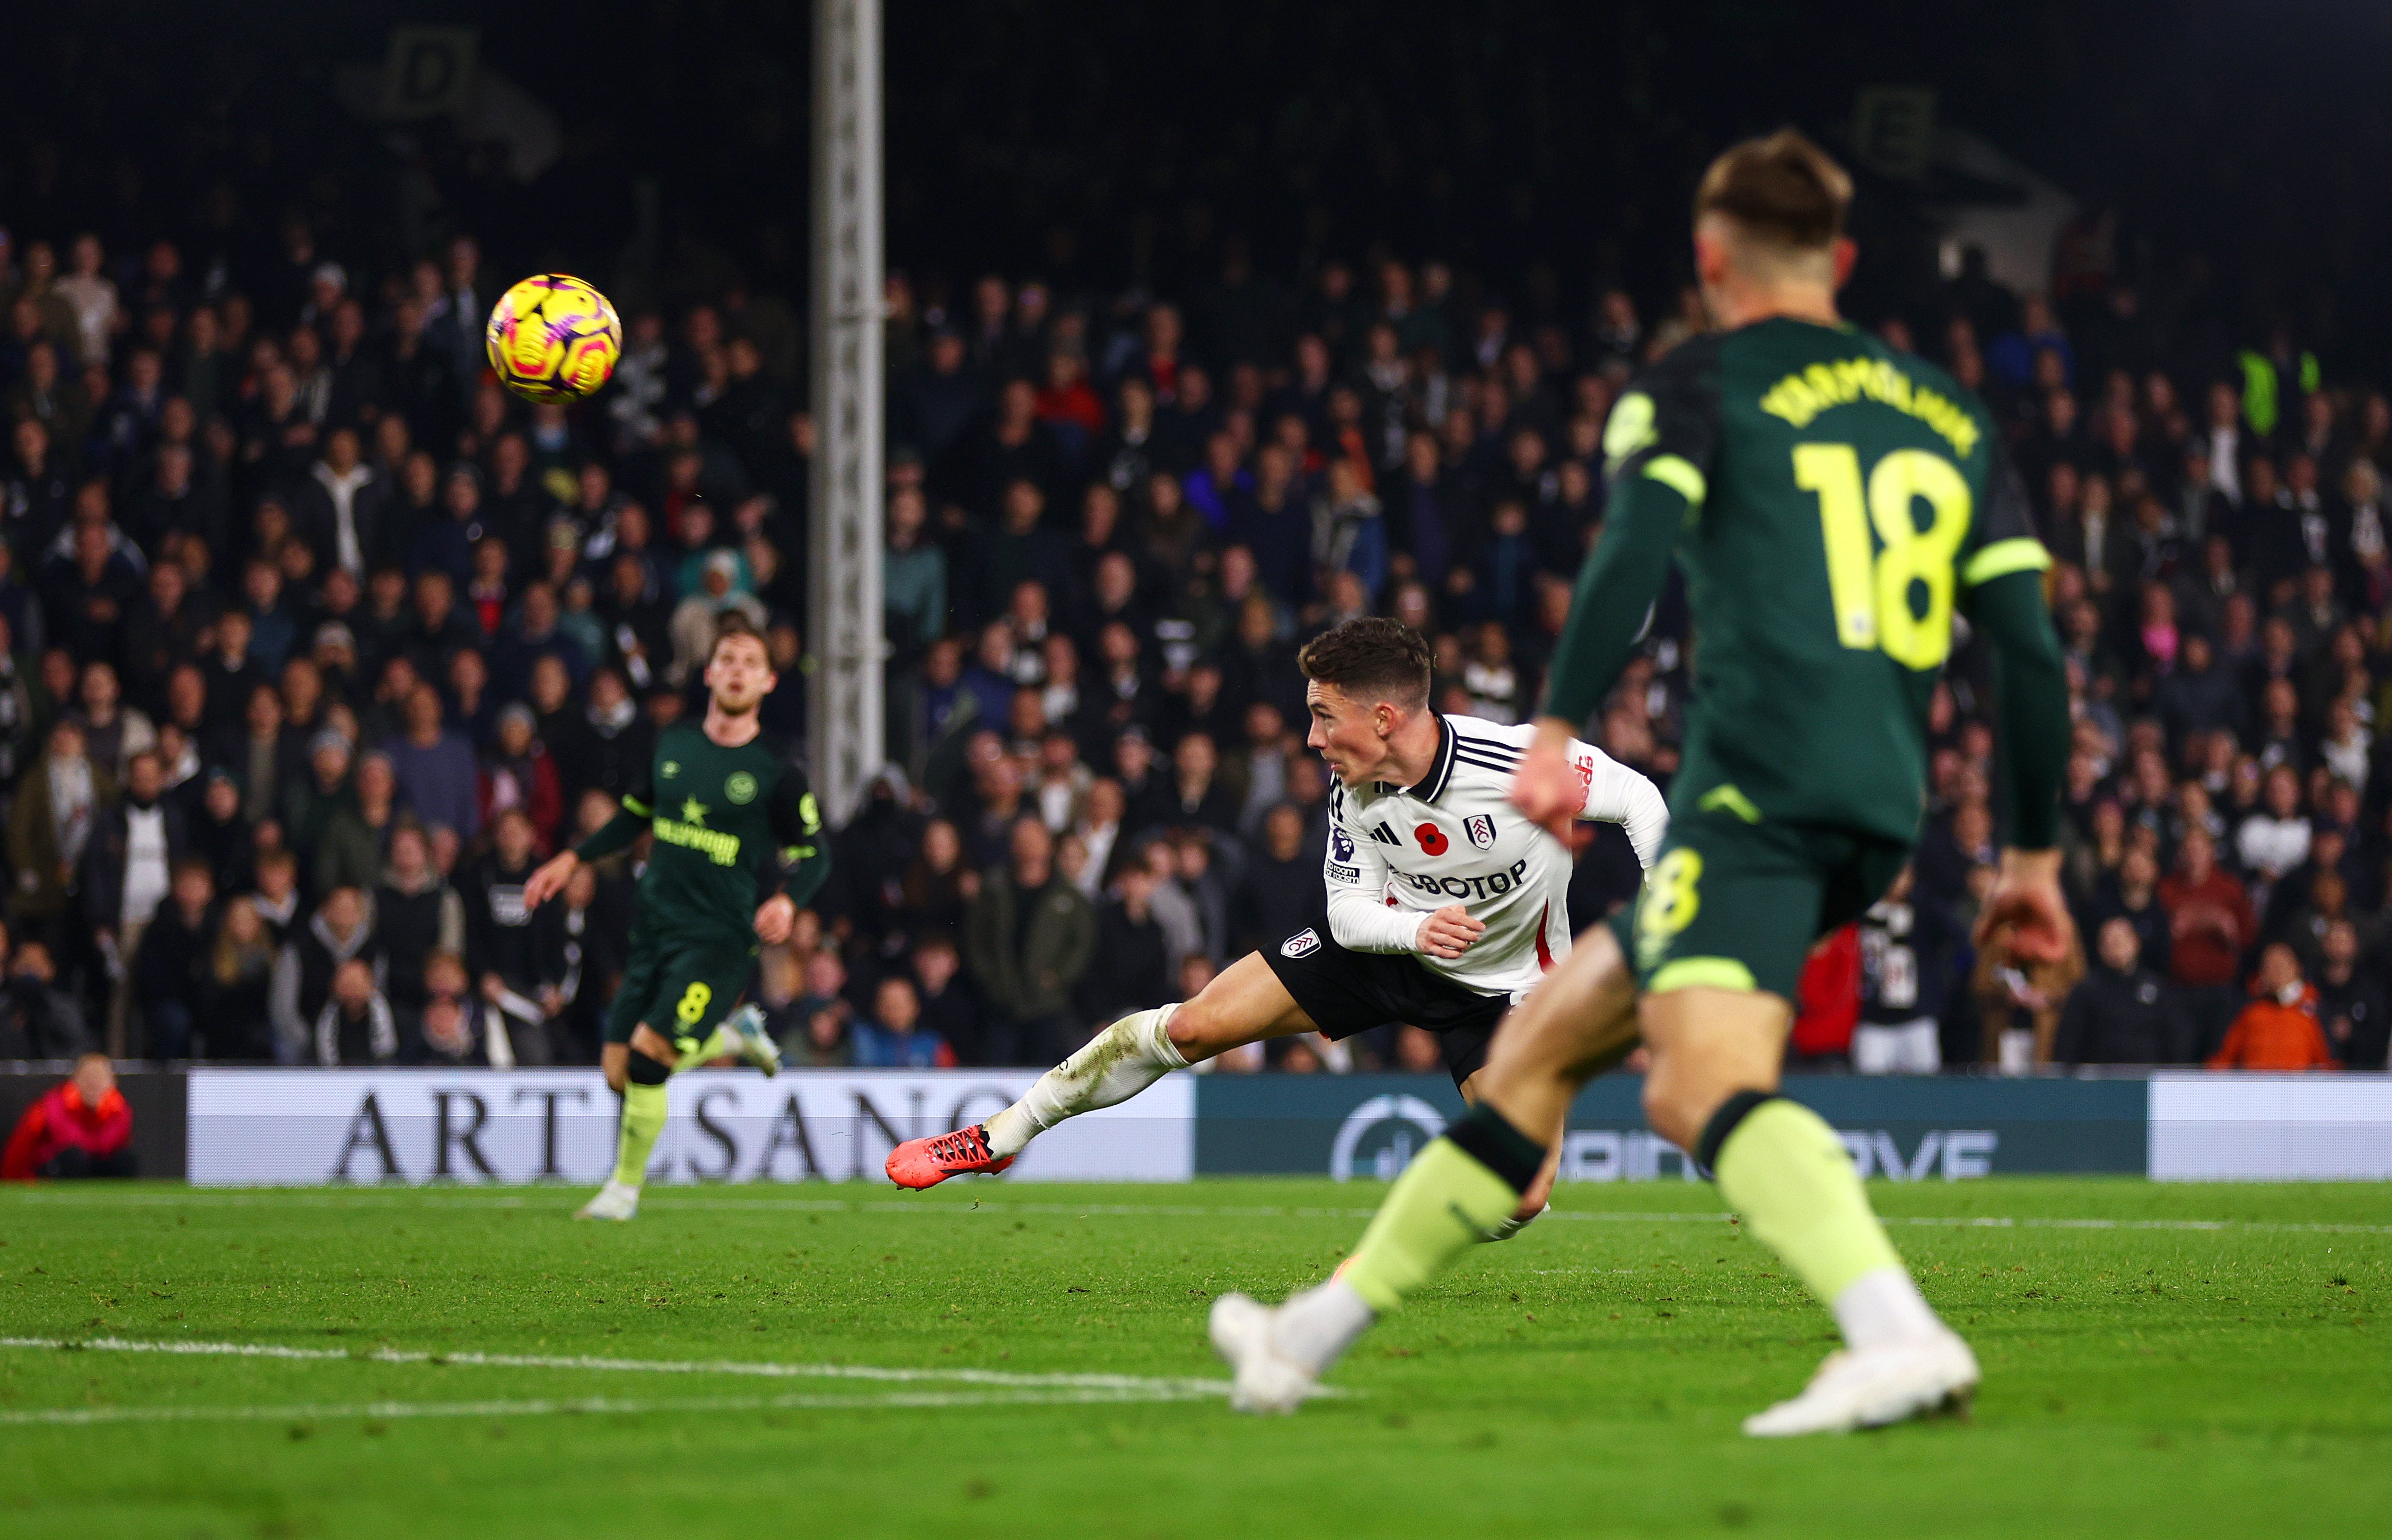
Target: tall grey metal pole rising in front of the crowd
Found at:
846, 482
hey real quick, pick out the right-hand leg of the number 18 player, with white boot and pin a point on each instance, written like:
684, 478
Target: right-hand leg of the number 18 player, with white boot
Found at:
1786, 1171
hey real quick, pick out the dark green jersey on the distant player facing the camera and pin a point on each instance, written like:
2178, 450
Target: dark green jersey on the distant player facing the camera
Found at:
726, 821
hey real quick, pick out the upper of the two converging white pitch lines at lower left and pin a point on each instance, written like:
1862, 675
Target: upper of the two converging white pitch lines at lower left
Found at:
1168, 1388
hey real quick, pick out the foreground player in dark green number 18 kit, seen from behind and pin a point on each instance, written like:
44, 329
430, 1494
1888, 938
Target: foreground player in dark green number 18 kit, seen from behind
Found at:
1833, 503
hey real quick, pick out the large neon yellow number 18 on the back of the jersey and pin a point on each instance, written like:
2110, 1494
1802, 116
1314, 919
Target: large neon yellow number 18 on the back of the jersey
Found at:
1872, 594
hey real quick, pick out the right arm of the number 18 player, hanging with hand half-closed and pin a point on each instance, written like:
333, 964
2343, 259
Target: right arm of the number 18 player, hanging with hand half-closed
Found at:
2003, 597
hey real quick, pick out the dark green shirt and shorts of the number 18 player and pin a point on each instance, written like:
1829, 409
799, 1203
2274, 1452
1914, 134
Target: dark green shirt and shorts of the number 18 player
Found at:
1833, 503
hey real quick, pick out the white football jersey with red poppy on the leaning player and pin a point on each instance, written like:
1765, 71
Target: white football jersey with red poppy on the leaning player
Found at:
1456, 838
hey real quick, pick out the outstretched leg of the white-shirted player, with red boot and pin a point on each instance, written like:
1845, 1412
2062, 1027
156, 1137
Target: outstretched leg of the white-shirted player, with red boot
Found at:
1245, 1006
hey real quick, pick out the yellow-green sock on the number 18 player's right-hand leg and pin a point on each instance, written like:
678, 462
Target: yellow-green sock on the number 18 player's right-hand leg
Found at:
1790, 1178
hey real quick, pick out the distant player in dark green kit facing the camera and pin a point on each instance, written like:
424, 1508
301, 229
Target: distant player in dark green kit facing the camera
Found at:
731, 814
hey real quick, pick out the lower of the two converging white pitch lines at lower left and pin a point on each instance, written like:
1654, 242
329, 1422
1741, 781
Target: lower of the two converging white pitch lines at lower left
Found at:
901, 1400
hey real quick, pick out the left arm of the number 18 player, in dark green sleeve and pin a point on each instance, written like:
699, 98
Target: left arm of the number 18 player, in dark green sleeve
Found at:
1656, 456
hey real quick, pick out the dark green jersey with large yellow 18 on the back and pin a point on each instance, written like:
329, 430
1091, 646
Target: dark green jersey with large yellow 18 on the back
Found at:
1829, 501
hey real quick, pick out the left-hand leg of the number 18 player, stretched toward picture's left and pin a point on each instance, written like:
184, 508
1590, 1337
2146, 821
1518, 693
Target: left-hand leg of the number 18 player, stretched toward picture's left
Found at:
1456, 1194
